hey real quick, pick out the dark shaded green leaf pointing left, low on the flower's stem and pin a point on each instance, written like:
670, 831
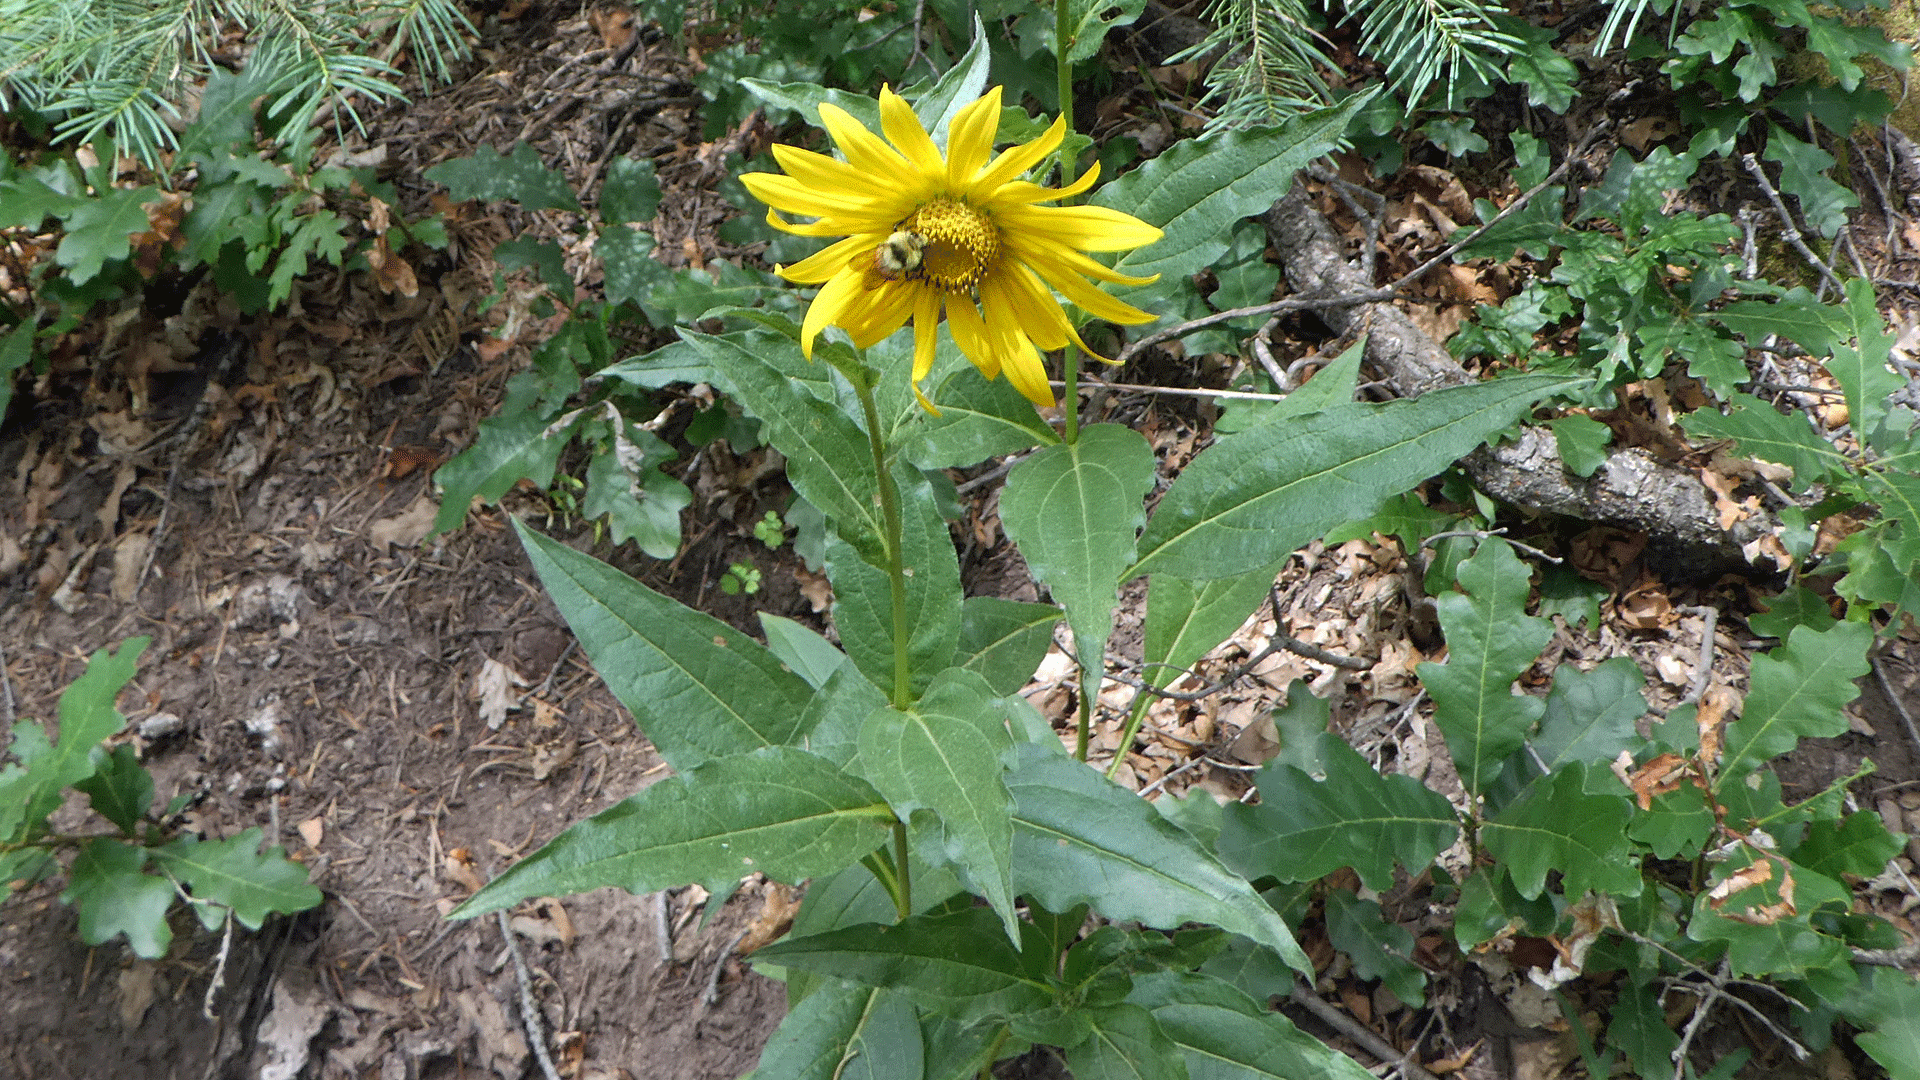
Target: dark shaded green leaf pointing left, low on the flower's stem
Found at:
957, 964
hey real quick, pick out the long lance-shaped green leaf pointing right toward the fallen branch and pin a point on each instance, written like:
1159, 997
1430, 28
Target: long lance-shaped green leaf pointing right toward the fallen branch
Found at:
1257, 497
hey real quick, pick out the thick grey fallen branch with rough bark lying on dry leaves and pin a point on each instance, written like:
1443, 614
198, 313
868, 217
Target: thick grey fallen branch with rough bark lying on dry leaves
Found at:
1631, 491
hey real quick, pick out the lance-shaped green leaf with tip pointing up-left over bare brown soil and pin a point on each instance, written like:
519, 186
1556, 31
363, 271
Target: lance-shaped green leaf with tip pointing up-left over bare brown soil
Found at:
698, 687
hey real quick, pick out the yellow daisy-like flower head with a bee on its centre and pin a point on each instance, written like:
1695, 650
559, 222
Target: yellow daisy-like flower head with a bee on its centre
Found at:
965, 235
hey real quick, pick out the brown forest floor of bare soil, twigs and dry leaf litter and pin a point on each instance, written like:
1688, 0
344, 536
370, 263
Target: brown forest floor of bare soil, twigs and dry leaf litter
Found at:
410, 718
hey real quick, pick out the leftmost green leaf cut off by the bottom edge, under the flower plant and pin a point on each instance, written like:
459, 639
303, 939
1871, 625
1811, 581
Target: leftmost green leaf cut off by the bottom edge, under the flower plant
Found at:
846, 1033
